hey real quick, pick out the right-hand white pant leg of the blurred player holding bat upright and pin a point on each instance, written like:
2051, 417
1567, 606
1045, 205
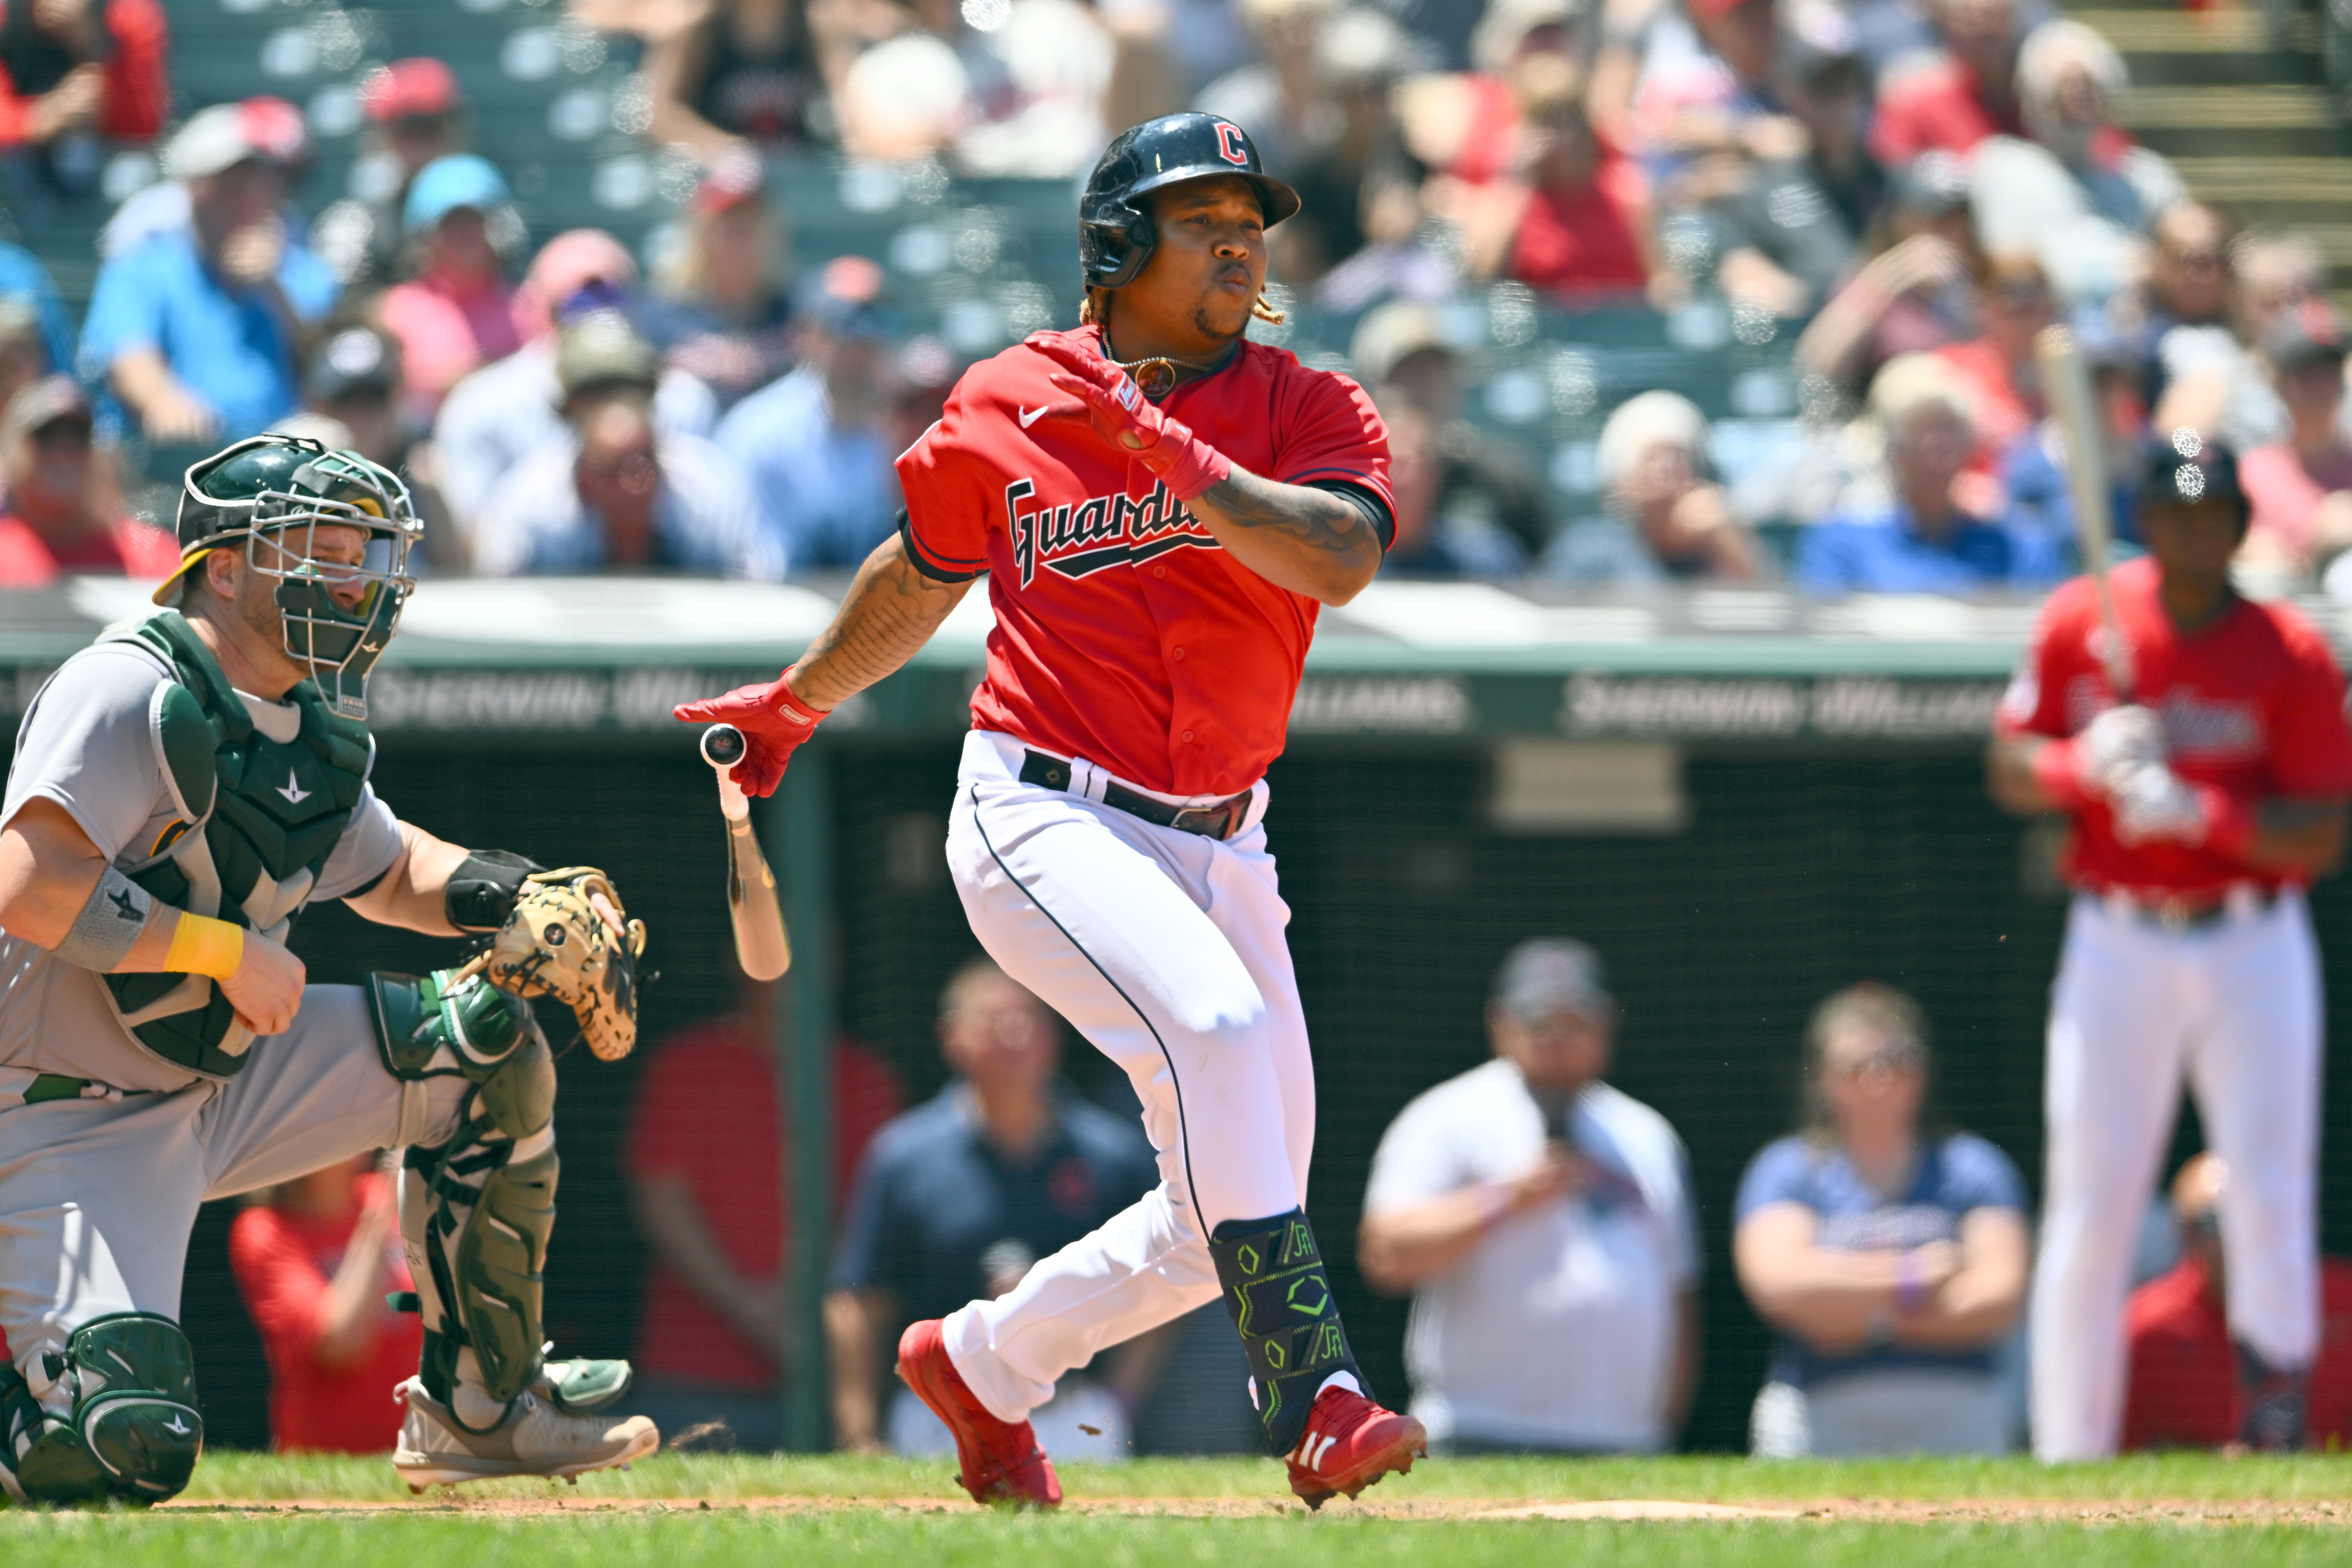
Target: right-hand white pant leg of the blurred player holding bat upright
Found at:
2257, 1078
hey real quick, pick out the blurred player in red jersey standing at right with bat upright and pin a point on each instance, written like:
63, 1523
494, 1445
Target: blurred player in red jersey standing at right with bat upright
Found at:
2205, 800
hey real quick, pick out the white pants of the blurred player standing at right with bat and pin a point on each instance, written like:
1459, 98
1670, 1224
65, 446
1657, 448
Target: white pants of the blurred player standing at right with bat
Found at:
2236, 1010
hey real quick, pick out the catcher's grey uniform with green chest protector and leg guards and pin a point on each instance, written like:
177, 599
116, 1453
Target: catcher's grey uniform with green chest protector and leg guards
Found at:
126, 1101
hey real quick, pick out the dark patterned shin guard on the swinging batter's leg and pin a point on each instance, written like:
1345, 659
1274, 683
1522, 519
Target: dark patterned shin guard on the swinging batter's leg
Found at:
1281, 1299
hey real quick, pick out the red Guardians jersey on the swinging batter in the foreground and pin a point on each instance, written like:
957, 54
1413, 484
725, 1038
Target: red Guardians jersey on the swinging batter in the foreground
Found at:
1125, 636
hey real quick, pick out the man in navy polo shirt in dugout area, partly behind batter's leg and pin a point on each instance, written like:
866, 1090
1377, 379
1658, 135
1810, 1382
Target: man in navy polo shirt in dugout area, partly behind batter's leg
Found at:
958, 1198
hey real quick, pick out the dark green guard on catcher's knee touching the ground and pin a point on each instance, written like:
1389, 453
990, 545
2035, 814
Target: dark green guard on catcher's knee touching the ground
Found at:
116, 1421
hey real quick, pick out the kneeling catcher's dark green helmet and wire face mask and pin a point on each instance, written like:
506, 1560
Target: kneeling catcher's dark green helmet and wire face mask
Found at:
279, 492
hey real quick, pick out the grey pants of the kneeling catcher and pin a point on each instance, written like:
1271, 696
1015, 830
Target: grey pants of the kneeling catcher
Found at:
98, 1195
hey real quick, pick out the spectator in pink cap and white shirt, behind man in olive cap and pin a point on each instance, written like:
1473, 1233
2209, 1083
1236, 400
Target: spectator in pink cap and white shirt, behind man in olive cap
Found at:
512, 408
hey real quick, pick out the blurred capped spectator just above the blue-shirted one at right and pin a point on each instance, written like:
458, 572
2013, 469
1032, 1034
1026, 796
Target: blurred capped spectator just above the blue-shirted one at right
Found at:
1918, 288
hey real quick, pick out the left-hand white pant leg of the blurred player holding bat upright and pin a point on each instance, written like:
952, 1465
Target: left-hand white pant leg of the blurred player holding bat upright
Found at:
2116, 1052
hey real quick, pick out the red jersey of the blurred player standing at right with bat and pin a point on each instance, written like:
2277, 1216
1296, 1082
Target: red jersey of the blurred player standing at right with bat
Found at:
2252, 704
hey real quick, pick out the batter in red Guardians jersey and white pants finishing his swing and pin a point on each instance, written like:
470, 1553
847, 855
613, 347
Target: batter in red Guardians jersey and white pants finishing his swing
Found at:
1161, 509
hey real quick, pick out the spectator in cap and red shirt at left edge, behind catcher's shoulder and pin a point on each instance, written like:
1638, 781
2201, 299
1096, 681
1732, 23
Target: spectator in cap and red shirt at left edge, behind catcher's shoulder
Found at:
62, 509
